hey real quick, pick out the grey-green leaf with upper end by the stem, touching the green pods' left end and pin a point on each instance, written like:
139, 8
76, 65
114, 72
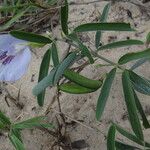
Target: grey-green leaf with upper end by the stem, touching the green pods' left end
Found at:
67, 62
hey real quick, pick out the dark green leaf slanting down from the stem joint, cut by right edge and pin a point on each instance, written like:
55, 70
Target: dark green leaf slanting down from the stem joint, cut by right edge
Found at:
139, 83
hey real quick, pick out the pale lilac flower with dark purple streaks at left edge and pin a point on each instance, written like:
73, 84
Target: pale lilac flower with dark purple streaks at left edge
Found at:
15, 56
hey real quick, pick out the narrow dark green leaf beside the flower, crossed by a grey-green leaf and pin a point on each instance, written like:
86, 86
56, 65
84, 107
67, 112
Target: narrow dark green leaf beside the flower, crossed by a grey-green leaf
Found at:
43, 73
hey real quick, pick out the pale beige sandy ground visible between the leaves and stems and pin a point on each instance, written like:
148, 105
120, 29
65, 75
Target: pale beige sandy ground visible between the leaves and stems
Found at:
80, 107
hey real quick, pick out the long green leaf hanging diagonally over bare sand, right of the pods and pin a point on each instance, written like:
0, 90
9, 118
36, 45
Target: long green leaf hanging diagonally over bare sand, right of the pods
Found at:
104, 93
